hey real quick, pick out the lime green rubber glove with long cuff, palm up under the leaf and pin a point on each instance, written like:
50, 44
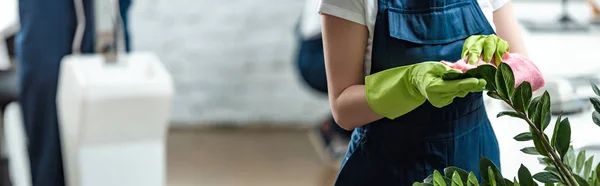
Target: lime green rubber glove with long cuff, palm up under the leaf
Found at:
397, 91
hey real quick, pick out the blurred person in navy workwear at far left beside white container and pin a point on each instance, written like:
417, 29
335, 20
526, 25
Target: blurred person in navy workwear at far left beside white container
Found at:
46, 35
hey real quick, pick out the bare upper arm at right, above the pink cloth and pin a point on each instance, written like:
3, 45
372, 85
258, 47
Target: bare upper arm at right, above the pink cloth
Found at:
508, 28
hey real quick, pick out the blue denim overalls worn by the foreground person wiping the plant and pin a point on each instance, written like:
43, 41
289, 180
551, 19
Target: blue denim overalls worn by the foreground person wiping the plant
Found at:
402, 151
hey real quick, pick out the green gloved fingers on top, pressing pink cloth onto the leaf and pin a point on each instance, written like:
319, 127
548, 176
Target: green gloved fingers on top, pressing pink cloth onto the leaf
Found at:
487, 46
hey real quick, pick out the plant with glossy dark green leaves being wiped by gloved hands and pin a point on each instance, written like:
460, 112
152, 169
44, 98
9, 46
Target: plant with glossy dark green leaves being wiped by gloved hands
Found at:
562, 166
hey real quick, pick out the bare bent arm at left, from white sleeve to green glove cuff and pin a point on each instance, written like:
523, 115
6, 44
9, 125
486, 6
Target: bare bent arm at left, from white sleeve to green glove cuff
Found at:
344, 44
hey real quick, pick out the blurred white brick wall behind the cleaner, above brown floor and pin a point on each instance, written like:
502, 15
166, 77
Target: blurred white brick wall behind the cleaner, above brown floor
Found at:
231, 60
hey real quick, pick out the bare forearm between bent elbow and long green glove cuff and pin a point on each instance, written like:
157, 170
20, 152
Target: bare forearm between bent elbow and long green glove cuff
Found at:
351, 109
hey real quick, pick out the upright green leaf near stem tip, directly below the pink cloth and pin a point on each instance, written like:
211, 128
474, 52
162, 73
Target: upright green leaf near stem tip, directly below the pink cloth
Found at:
505, 81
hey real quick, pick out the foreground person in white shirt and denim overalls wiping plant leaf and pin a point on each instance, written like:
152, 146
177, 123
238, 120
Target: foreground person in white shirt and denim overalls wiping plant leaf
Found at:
384, 75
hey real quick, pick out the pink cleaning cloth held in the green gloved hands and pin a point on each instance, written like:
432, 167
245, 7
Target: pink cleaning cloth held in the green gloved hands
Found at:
523, 69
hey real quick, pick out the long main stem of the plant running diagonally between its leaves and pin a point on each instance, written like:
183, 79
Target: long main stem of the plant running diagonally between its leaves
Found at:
553, 156
